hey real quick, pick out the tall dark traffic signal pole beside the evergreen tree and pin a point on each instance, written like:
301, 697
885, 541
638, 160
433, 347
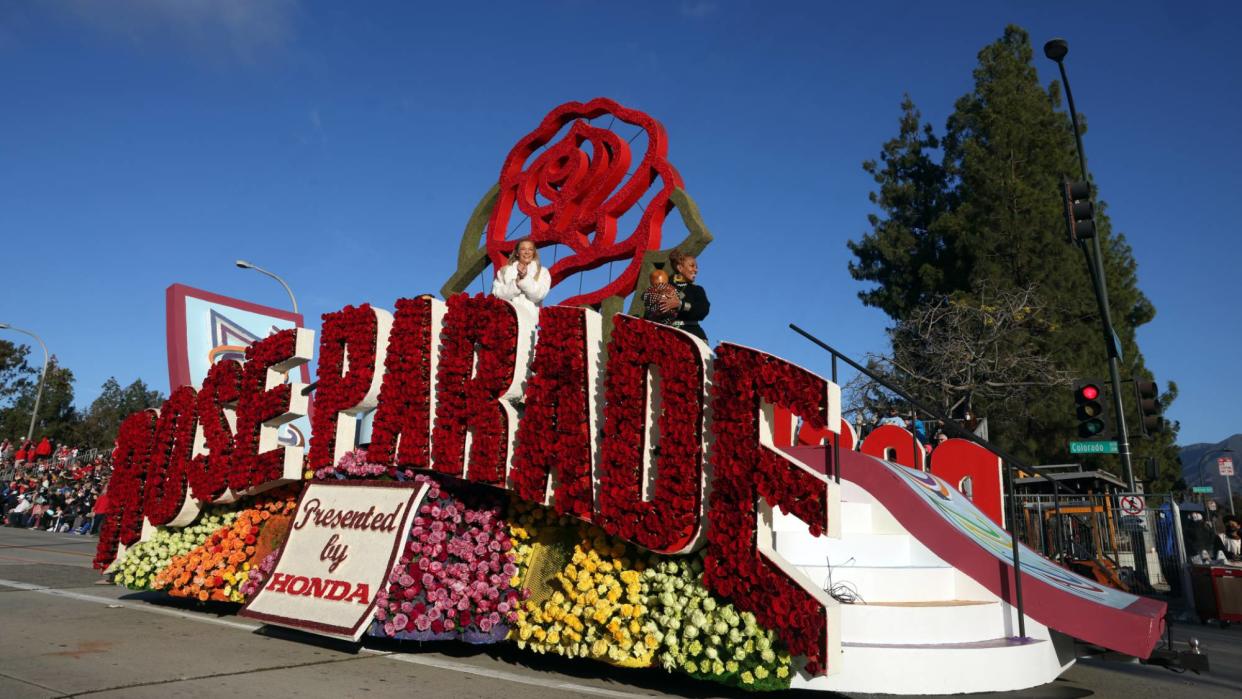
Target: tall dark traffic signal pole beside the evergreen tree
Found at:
1056, 50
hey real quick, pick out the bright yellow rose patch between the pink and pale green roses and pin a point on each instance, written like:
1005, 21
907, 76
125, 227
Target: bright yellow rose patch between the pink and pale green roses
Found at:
597, 604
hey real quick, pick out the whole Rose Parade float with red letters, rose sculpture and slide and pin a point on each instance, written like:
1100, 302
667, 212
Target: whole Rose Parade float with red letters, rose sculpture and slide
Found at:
579, 481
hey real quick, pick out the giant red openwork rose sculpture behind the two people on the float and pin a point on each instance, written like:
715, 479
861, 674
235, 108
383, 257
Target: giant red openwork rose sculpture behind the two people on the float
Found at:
574, 197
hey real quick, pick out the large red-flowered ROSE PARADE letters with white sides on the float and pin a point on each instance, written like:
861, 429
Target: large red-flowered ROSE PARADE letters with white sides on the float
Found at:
563, 450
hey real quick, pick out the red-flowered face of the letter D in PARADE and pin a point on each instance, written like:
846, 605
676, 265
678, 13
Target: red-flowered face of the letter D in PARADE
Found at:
671, 521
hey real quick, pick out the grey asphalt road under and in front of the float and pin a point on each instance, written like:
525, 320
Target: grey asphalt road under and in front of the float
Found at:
65, 635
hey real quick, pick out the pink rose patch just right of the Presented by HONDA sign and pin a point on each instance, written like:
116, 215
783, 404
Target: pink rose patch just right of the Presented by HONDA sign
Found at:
454, 578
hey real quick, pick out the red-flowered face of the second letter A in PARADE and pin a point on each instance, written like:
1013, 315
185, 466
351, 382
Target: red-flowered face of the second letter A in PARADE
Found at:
556, 433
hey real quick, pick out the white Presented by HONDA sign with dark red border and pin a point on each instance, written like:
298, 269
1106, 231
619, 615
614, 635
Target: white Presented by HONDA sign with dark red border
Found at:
341, 549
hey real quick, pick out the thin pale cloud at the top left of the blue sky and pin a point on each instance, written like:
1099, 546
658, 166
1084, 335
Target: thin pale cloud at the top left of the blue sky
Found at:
224, 30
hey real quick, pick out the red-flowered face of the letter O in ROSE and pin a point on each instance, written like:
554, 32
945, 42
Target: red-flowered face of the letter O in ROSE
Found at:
167, 479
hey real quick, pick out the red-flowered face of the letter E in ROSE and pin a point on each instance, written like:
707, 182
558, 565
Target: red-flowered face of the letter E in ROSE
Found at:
258, 405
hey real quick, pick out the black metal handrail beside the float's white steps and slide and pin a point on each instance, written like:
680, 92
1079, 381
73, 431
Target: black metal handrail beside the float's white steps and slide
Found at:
1008, 460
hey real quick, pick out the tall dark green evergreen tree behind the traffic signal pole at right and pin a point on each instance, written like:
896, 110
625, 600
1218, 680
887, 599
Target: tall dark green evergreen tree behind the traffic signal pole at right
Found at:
989, 217
